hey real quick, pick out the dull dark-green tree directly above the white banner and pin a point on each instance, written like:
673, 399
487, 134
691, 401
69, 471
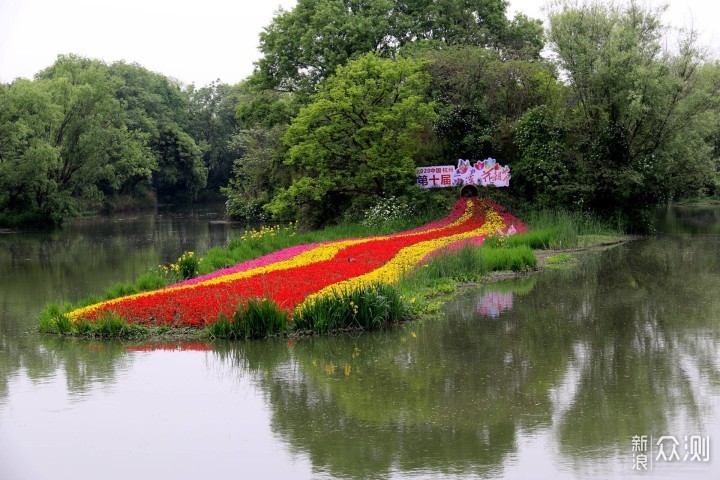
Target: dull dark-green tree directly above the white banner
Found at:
481, 94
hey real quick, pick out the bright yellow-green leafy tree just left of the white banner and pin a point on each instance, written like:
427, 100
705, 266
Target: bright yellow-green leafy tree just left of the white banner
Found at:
357, 137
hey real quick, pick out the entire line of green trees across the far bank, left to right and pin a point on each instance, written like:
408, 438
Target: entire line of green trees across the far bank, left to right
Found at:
350, 96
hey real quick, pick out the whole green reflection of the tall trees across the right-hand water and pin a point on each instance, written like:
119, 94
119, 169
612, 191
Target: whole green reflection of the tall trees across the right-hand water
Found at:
623, 330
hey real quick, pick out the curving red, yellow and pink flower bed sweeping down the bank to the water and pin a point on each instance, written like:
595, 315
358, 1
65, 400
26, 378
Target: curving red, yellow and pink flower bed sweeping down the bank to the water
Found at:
300, 274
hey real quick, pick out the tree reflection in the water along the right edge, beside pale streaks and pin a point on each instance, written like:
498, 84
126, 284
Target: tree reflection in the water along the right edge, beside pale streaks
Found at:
651, 336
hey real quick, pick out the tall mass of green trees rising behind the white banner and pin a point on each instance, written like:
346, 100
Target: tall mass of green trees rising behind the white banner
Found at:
615, 124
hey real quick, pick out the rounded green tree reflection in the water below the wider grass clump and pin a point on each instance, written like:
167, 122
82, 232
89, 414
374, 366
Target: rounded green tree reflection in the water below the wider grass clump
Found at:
429, 396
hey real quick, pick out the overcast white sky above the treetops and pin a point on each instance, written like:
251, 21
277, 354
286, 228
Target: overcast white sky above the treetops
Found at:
194, 41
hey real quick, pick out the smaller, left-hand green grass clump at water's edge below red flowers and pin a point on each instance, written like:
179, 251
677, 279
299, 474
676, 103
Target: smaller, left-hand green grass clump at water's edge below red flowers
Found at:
258, 318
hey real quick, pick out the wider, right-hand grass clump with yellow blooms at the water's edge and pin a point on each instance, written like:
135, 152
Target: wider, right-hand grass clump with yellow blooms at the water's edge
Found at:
368, 308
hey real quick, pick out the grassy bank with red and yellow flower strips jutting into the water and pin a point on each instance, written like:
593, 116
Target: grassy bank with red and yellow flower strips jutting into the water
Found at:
412, 292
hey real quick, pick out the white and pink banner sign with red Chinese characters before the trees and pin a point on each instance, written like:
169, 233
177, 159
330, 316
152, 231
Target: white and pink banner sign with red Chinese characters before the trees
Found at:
483, 172
